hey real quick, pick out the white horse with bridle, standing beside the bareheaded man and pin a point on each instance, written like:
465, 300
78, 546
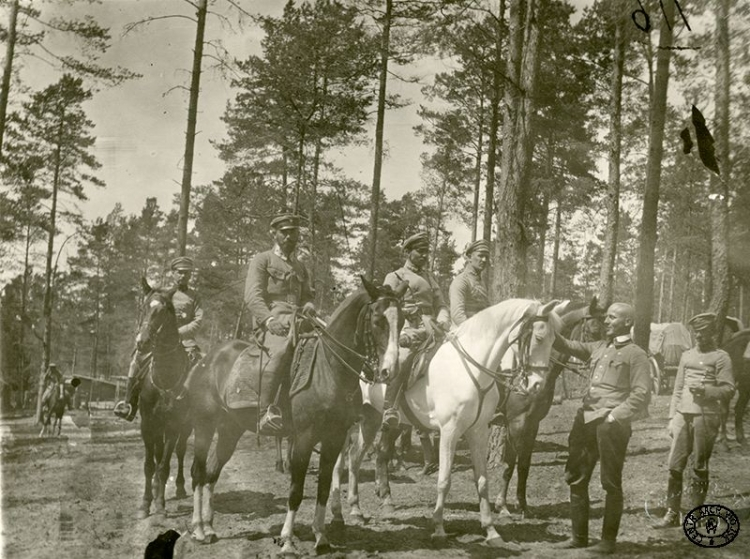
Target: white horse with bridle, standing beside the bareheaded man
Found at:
458, 396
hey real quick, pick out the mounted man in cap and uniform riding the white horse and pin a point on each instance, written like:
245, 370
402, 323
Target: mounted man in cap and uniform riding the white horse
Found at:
423, 305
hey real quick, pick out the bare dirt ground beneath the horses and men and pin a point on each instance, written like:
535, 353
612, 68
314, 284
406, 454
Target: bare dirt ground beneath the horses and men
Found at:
76, 497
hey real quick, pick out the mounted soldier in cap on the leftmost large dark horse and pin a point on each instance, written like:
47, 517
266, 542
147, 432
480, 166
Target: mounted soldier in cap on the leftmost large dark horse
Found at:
189, 314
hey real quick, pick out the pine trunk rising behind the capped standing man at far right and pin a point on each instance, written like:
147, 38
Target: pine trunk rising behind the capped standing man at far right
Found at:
720, 185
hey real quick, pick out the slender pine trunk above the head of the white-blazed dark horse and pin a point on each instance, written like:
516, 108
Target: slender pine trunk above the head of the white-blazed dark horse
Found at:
385, 47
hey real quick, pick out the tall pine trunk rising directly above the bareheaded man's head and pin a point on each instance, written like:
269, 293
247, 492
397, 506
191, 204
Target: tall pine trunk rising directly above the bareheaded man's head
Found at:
609, 250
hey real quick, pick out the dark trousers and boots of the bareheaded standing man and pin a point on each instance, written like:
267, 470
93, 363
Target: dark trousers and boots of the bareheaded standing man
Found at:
589, 443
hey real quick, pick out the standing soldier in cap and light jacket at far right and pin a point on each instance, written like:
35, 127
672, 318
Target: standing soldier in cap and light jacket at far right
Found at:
704, 382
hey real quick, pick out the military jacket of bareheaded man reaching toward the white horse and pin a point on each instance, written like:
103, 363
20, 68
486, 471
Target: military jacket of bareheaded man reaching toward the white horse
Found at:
620, 382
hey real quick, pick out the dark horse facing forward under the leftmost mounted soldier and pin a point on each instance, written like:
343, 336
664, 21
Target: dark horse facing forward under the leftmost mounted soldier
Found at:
164, 419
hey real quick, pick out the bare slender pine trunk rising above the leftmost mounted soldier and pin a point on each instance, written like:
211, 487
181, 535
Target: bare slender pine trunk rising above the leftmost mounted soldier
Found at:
187, 169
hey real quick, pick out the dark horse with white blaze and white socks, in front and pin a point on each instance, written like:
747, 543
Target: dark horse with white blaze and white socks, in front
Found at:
362, 333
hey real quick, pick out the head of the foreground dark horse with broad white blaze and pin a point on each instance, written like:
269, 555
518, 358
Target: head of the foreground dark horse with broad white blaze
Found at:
384, 325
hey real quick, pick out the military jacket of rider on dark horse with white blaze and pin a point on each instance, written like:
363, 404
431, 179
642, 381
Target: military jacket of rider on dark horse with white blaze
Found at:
275, 285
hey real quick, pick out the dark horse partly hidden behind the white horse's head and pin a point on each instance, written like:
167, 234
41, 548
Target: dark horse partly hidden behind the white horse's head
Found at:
525, 410
